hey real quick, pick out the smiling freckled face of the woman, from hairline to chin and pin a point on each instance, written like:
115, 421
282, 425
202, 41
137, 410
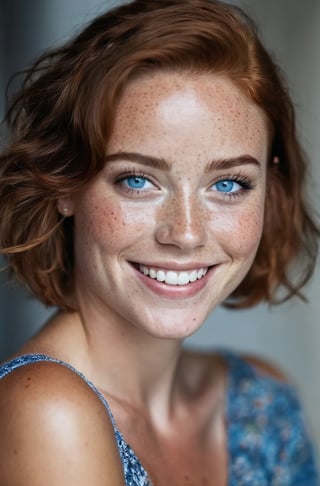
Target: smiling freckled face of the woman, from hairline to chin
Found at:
171, 225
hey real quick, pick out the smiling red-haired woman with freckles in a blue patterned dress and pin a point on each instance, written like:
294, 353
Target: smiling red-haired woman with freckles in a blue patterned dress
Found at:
153, 173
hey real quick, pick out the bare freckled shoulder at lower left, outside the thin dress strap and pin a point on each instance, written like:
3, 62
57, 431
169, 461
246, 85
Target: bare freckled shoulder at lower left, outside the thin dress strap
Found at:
55, 430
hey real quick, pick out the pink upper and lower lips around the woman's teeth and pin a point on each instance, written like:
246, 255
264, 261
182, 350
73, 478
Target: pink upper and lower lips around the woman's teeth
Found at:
174, 291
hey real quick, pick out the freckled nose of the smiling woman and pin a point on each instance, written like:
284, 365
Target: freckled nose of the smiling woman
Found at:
182, 223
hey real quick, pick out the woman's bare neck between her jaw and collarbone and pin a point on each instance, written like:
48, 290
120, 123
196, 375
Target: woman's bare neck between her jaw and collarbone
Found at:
128, 364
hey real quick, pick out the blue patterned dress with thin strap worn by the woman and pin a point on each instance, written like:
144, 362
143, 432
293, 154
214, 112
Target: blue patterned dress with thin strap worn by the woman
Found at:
267, 440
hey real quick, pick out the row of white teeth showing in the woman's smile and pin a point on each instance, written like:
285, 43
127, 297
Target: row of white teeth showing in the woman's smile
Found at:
171, 277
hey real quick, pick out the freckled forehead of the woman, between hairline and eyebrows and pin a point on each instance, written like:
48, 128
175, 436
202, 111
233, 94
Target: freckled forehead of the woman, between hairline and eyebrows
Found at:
187, 109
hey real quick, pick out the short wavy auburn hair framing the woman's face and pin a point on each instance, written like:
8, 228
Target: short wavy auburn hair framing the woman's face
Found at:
63, 115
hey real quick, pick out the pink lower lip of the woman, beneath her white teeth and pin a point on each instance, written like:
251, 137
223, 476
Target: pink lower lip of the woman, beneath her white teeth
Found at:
174, 291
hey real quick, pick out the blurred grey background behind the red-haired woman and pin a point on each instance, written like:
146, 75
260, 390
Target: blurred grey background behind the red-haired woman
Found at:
289, 334
